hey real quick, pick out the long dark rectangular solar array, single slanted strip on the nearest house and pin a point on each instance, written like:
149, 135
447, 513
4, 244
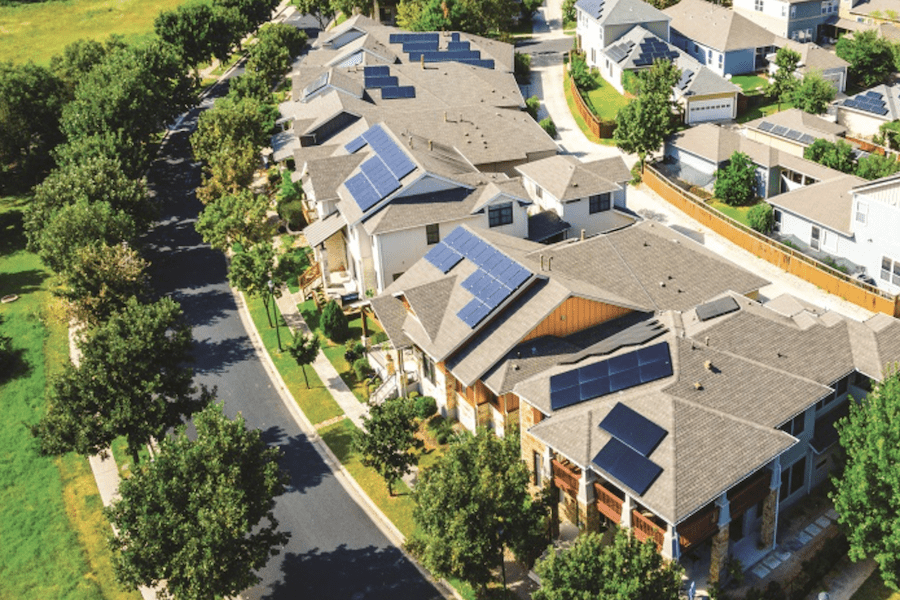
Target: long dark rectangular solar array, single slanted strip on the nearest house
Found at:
612, 375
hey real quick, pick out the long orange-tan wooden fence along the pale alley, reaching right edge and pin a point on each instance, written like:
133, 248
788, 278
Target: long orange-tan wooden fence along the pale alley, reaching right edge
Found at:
819, 274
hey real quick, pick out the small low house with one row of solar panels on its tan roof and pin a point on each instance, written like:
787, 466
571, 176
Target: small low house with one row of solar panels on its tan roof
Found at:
792, 130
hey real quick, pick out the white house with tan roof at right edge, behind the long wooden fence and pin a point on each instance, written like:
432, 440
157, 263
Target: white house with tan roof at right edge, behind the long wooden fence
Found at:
850, 221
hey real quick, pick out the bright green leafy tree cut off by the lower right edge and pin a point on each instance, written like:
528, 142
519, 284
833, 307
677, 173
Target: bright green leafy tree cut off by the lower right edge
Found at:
867, 494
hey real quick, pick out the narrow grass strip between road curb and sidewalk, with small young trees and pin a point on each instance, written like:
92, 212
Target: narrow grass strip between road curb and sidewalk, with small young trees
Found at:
316, 402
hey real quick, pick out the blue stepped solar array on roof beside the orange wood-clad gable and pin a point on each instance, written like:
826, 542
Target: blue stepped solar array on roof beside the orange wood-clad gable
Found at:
495, 279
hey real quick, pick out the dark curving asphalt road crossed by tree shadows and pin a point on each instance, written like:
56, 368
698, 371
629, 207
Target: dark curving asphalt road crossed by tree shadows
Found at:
335, 550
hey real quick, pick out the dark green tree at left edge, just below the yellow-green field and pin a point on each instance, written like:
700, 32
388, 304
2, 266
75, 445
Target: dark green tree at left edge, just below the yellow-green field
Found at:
31, 98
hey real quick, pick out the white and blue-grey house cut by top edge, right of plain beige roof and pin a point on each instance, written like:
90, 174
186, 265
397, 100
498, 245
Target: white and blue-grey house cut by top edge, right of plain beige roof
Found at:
800, 20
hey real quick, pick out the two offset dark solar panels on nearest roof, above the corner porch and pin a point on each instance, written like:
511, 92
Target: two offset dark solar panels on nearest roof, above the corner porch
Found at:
626, 455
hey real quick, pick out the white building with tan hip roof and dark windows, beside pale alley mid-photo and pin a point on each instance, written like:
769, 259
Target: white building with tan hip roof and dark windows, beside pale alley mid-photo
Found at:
588, 197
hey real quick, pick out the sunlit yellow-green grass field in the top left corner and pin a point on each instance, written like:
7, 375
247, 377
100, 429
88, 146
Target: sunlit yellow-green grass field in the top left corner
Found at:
40, 30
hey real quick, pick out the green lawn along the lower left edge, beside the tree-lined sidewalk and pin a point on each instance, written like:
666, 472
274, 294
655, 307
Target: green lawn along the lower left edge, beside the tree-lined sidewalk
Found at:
52, 530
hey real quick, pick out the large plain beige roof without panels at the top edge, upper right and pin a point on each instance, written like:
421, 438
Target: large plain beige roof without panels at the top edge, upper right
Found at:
717, 27
